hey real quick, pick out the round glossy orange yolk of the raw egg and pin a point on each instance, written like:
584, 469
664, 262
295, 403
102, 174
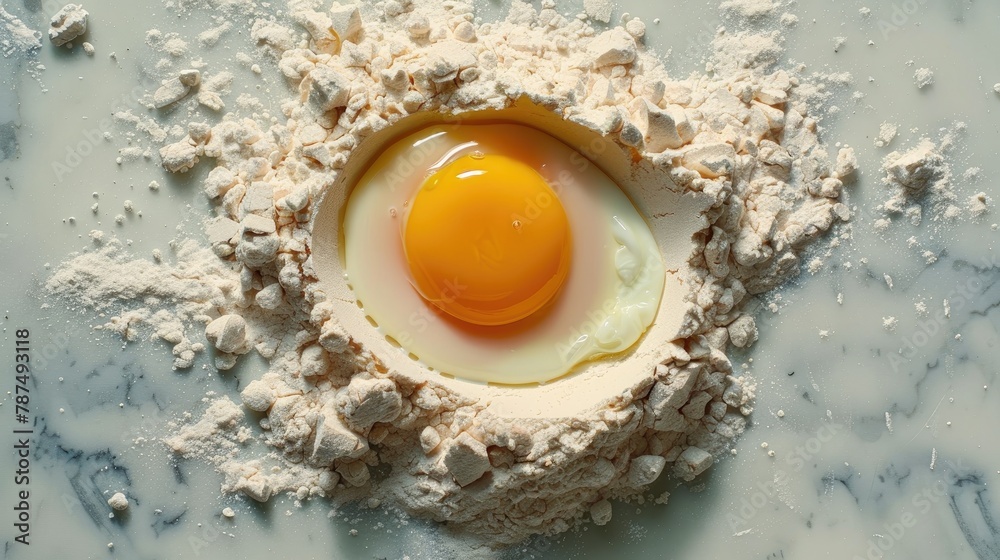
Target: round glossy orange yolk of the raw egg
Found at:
487, 240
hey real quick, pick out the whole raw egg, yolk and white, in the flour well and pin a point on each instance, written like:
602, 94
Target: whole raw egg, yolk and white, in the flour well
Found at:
495, 253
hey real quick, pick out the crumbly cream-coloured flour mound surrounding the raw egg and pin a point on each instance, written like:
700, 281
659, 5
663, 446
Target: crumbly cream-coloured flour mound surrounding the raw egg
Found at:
742, 135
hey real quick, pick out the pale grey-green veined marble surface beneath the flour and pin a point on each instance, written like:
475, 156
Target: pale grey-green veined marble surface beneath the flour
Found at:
884, 442
